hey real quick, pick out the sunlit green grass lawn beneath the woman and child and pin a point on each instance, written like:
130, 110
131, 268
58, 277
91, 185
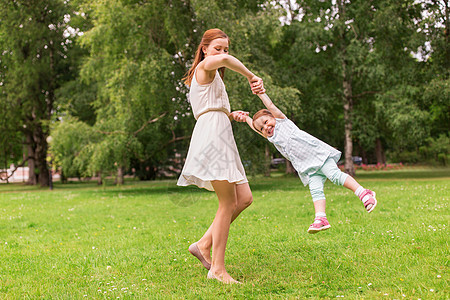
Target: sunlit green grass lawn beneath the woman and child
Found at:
83, 241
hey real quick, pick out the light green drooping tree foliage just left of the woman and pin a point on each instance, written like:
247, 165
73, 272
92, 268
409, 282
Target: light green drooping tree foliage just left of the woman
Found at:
132, 74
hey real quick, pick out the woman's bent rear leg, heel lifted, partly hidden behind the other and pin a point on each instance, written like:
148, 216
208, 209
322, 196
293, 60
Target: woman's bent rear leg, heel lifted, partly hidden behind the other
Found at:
244, 199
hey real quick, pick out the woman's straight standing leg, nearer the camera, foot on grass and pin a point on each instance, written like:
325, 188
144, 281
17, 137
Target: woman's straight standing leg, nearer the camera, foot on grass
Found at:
226, 192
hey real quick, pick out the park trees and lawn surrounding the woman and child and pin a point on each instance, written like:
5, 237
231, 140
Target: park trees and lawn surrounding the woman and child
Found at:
92, 90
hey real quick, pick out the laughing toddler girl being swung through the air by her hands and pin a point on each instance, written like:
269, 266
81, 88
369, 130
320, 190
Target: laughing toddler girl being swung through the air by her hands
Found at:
314, 160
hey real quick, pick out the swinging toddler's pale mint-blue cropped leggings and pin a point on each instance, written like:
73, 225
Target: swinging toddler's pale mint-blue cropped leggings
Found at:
329, 170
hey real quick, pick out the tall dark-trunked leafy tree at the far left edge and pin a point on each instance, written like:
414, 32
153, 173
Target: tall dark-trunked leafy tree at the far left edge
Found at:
34, 56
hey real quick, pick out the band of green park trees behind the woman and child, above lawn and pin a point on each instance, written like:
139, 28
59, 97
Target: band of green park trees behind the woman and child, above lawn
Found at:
94, 89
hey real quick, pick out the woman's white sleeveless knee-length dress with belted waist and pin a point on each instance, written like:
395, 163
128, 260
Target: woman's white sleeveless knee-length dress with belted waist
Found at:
212, 153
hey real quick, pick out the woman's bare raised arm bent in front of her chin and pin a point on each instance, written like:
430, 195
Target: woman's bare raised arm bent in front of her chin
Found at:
211, 63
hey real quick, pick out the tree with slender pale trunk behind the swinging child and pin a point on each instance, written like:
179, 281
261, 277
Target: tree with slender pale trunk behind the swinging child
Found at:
352, 54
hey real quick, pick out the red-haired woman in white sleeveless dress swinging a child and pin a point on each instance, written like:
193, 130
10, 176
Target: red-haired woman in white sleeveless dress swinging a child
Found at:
213, 160
